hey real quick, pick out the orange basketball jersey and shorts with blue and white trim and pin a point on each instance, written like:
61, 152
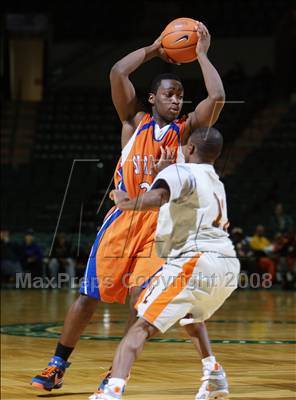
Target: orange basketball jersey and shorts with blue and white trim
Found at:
123, 254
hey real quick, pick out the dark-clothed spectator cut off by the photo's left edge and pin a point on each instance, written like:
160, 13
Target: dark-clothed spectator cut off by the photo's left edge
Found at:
10, 257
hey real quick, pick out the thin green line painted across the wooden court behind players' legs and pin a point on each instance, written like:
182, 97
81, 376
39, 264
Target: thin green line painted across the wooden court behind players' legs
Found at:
40, 330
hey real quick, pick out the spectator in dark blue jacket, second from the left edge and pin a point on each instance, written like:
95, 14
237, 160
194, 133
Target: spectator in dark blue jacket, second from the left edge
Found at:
32, 255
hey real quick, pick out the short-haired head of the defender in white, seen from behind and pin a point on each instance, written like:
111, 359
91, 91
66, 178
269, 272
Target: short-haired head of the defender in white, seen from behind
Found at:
204, 145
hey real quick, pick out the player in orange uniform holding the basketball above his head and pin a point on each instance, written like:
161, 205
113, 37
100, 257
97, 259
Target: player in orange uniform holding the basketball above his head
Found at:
123, 257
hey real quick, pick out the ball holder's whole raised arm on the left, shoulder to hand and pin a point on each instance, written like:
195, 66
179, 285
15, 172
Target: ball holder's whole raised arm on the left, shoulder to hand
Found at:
123, 92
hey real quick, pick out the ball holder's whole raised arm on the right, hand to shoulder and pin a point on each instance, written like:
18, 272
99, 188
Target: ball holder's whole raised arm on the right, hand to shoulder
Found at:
208, 110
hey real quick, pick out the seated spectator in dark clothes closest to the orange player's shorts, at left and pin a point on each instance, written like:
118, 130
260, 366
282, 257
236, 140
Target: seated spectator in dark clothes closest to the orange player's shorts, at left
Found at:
62, 259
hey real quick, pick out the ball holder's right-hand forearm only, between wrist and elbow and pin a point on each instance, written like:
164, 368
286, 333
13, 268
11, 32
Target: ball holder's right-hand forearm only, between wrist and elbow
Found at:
212, 79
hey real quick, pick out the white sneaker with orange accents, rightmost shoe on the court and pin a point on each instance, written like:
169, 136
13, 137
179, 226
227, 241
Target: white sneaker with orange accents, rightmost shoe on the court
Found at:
215, 385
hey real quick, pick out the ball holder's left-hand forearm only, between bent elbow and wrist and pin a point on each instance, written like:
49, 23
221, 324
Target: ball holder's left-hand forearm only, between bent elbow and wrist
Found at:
132, 61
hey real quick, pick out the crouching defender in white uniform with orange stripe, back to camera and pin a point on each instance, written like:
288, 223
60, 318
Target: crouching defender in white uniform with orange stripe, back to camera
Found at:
201, 269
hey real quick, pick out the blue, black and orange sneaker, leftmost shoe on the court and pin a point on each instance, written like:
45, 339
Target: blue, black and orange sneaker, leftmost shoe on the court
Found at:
52, 376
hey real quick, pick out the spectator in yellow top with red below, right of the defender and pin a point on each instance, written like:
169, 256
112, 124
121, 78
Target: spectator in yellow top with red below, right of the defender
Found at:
261, 246
